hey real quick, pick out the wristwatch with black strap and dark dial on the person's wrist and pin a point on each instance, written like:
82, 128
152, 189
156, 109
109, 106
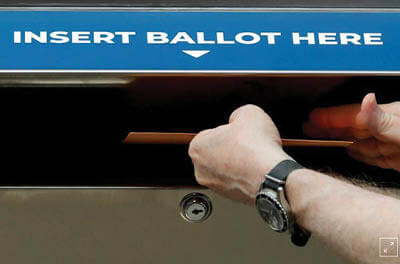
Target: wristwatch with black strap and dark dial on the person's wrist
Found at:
273, 206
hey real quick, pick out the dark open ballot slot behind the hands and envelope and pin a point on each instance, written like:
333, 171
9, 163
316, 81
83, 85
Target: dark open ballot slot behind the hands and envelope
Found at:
72, 136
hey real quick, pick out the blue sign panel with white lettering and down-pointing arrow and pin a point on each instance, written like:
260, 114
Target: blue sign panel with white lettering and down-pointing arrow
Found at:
378, 49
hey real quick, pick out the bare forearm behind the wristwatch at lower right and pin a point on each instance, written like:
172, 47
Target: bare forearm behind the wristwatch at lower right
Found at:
349, 219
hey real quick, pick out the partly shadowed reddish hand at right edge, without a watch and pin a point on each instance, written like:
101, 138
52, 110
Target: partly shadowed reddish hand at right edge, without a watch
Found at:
375, 128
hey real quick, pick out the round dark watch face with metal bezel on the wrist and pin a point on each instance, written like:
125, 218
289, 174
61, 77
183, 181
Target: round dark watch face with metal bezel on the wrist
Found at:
272, 213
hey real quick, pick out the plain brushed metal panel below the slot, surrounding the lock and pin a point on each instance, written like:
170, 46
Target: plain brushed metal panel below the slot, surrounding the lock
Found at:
137, 226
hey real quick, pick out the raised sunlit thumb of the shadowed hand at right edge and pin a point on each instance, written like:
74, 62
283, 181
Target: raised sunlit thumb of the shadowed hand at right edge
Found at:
382, 125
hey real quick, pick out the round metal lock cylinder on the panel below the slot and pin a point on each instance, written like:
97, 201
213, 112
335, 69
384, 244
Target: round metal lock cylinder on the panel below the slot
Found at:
195, 207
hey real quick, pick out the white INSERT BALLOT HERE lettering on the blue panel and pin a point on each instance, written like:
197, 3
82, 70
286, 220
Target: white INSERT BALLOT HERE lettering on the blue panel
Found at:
197, 38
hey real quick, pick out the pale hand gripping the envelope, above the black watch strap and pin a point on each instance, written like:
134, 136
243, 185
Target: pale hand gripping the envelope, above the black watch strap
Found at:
233, 158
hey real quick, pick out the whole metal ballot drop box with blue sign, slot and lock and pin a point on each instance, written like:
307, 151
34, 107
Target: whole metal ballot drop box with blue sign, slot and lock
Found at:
76, 78
